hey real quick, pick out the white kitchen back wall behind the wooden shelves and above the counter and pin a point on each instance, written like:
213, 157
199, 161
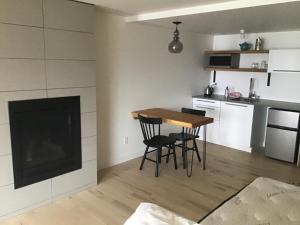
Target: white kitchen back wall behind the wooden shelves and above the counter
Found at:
283, 86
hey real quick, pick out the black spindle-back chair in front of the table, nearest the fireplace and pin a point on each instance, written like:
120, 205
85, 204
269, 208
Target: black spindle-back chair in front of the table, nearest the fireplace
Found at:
153, 139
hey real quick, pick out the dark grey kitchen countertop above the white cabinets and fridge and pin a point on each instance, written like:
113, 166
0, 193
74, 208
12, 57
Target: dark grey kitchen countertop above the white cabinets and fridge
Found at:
291, 106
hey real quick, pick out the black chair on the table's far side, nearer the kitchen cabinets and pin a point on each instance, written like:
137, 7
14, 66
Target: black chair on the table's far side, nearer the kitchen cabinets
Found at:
186, 135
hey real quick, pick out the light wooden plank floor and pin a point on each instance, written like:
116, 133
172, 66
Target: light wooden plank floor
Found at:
122, 188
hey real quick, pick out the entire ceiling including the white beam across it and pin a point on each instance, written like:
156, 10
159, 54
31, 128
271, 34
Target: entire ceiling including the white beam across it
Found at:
211, 16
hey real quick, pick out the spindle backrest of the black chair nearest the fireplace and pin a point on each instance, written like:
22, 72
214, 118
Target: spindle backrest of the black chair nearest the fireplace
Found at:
150, 126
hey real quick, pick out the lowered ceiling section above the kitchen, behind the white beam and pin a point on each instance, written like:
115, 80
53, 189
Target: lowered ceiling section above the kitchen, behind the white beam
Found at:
271, 18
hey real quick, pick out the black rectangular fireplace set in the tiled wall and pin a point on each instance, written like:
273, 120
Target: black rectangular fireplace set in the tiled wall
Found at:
45, 138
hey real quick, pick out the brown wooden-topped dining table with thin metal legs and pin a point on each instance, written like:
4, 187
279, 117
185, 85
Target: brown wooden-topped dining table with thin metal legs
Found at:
179, 119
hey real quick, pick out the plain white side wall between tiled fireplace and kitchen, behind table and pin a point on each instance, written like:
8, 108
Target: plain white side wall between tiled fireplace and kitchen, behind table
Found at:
135, 71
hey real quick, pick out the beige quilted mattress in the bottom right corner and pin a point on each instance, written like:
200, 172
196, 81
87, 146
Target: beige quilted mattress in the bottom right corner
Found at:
263, 202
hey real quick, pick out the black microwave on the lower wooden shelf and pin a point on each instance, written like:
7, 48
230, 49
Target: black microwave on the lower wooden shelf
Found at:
224, 60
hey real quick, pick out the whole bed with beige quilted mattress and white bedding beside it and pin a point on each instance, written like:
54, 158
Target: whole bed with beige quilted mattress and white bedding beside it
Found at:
263, 202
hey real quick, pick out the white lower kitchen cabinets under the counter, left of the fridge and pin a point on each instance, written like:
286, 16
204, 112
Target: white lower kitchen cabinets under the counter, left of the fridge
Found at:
232, 125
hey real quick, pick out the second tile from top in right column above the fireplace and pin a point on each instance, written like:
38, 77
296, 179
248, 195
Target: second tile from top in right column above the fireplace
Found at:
69, 45
